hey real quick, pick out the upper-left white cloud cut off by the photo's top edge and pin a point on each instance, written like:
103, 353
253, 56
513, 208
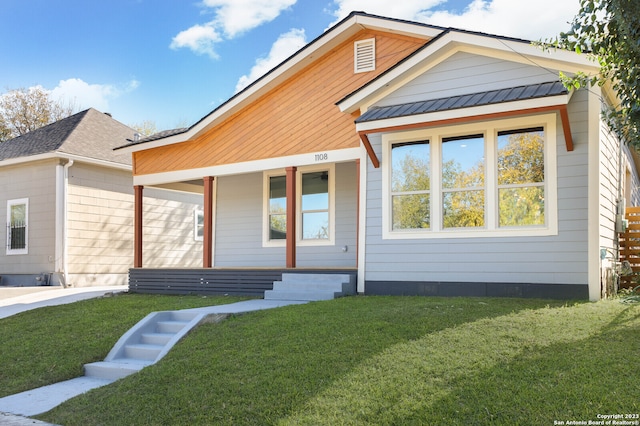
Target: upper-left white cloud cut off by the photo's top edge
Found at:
232, 18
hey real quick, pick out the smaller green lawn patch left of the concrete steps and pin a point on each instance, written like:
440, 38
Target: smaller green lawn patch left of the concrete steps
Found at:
51, 344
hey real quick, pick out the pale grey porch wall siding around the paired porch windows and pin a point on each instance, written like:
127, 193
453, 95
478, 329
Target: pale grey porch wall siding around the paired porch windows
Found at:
240, 217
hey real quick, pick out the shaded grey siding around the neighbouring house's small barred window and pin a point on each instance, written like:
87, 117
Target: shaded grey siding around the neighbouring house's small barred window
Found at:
35, 181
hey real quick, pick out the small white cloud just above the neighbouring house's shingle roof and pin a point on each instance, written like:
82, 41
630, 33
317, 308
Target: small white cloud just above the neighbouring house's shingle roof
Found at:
83, 95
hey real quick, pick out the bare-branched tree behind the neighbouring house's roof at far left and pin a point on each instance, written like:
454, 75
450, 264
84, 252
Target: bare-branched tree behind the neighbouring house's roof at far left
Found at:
24, 110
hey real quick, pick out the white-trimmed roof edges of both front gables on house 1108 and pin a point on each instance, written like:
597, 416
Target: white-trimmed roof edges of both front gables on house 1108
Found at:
439, 43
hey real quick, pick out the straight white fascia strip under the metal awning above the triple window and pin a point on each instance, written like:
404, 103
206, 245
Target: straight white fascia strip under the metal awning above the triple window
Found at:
372, 126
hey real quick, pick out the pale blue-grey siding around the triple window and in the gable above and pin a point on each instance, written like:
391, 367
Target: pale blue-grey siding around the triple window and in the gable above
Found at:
556, 259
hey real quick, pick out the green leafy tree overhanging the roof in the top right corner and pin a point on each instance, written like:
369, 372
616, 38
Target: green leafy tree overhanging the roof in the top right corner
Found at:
609, 30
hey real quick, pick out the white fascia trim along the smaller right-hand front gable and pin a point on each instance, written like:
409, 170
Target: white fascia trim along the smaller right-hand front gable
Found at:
453, 42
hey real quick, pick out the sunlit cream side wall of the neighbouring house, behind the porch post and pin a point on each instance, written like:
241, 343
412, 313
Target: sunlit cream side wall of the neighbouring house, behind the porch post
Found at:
100, 227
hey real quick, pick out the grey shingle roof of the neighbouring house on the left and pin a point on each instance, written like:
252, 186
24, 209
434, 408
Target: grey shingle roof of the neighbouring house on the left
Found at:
89, 134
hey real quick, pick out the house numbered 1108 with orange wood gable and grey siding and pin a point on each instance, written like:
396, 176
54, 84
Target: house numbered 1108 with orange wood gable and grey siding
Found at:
426, 160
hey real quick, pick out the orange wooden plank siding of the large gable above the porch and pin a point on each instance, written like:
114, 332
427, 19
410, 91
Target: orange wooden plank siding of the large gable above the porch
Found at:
299, 116
